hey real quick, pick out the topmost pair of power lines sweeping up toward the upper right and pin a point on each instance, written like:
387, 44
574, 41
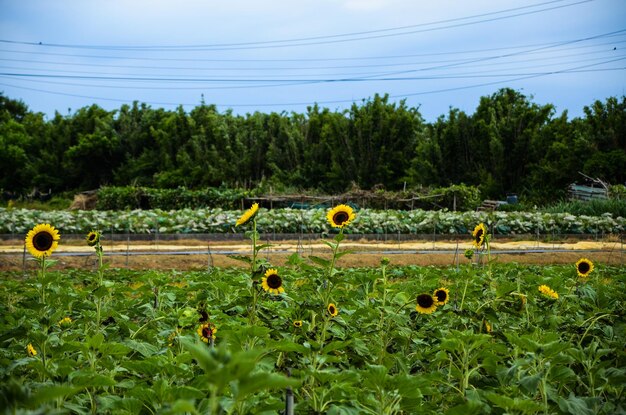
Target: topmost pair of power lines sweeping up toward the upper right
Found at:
316, 40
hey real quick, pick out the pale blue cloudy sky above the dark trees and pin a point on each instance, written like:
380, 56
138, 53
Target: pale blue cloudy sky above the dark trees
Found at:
275, 56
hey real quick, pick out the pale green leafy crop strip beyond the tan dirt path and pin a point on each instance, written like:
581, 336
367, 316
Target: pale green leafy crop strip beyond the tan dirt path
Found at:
368, 221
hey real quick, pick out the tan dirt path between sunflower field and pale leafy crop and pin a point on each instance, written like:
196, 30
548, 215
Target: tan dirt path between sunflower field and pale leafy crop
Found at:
197, 255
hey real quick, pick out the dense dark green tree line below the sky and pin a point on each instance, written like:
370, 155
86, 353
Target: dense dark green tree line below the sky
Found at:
508, 145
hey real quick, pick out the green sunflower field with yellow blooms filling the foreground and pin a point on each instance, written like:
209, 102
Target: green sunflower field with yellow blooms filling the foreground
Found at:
312, 337
